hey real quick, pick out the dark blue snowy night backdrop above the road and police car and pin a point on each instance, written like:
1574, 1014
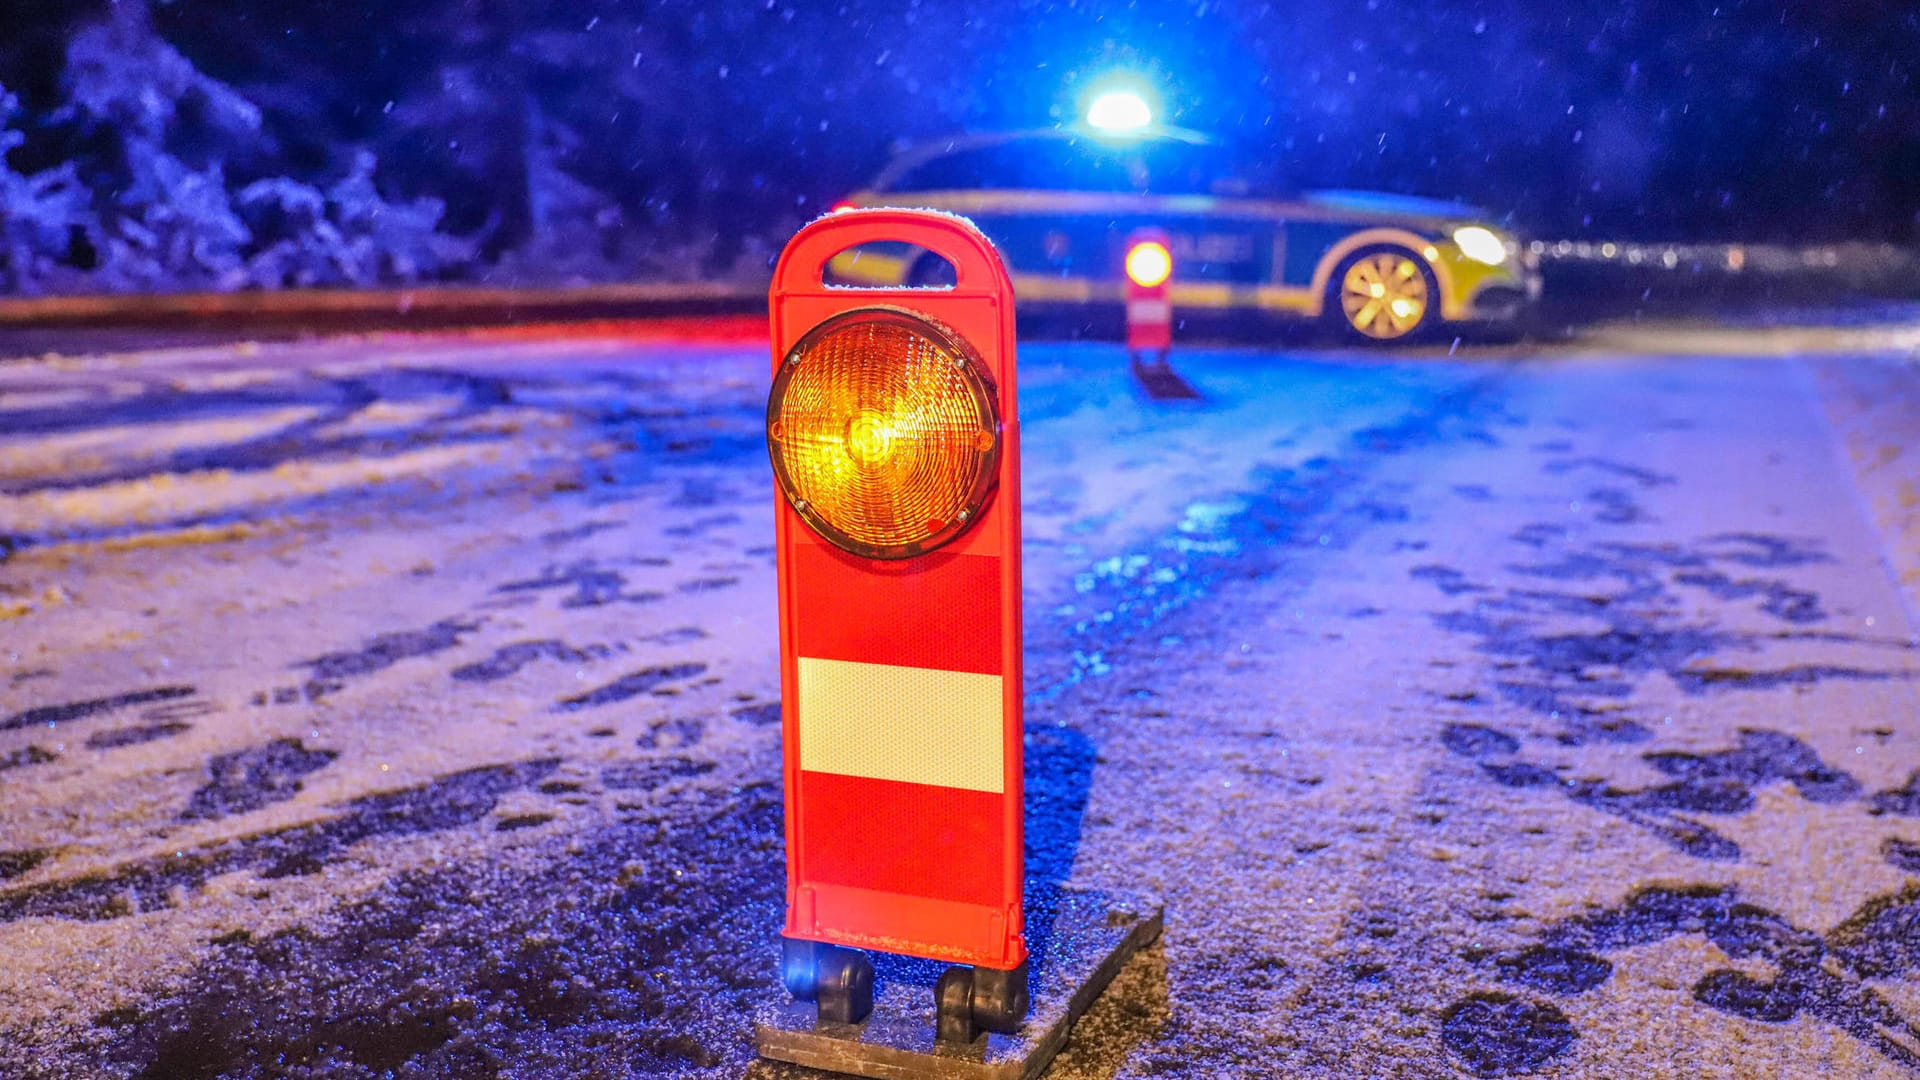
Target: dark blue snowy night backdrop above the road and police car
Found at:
592, 139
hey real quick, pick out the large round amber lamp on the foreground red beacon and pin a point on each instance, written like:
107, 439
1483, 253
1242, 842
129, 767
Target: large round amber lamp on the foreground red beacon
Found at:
884, 433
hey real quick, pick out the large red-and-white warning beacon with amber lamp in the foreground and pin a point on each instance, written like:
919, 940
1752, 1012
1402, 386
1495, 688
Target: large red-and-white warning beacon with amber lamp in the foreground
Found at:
894, 437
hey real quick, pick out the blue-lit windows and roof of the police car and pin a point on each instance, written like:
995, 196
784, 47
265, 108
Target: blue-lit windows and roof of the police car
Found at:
1080, 164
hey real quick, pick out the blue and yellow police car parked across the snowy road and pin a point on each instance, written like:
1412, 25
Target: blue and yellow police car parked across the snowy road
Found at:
1061, 205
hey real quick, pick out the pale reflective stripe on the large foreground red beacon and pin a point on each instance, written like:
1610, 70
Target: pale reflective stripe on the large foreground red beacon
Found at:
917, 725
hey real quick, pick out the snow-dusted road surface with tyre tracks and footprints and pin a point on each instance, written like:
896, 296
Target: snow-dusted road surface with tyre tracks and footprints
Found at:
410, 708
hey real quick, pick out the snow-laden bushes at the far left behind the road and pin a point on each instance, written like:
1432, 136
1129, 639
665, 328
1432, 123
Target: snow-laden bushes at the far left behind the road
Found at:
145, 199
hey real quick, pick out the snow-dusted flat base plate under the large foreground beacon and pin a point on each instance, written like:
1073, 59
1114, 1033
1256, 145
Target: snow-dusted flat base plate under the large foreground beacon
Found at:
1078, 945
